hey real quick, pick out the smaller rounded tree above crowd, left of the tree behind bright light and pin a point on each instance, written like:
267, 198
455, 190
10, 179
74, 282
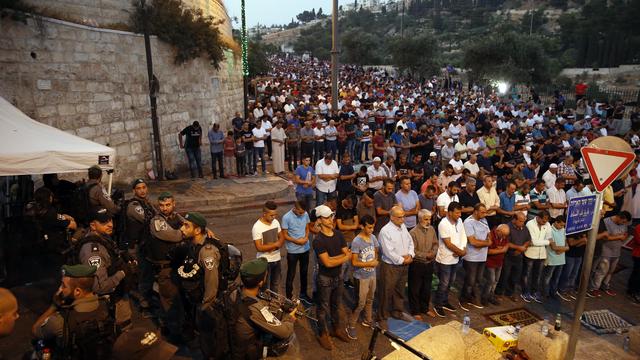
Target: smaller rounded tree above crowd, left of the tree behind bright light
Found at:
416, 55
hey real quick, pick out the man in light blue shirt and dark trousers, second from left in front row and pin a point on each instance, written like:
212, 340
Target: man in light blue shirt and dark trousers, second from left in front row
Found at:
296, 234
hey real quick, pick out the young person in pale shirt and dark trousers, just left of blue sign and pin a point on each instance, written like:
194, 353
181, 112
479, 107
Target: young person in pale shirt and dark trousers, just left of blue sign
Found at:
555, 257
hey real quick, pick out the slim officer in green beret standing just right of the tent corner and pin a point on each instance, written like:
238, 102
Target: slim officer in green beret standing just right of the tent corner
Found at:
139, 213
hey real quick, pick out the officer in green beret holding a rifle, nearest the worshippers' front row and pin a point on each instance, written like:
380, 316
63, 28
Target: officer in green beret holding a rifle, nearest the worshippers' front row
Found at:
256, 326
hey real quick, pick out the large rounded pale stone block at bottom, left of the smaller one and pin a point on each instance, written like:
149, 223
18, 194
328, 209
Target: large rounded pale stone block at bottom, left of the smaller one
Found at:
447, 342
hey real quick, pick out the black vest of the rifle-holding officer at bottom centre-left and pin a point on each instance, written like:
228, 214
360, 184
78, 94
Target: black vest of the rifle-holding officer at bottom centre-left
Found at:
247, 344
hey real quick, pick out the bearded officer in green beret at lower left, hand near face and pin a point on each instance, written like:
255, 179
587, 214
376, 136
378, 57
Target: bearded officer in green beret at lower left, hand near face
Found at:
78, 324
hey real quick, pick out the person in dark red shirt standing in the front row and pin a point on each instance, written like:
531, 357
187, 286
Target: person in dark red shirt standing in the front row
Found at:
495, 259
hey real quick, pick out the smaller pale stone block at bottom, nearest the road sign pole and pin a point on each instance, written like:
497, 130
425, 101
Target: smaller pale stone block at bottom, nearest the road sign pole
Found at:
540, 347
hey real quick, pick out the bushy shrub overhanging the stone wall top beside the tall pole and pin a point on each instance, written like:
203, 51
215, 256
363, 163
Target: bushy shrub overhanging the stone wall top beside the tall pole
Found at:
188, 30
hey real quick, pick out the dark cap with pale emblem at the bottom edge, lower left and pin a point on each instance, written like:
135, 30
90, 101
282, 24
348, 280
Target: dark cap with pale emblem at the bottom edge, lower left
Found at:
142, 344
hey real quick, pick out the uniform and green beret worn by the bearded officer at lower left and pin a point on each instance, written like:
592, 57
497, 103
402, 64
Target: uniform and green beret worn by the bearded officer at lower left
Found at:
82, 329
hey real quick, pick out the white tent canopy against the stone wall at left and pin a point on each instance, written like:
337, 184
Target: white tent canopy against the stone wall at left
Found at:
30, 147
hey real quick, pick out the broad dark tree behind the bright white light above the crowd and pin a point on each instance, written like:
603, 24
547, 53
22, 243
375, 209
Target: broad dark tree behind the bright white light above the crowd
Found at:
509, 56
